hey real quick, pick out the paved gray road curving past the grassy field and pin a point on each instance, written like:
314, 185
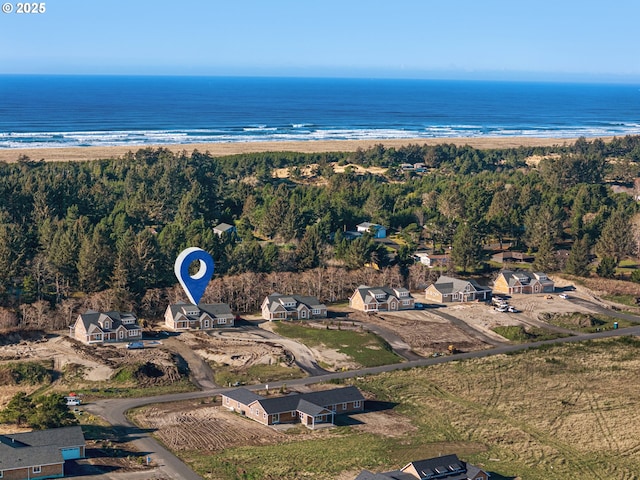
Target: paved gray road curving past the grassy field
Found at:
113, 410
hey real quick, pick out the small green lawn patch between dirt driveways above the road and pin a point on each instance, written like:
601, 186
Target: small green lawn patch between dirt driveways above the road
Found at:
364, 348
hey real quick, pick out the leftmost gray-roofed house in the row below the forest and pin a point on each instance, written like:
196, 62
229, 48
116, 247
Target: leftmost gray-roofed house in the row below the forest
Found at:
103, 327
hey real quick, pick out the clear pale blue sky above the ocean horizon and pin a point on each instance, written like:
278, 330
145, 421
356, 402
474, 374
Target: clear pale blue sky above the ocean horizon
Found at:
458, 39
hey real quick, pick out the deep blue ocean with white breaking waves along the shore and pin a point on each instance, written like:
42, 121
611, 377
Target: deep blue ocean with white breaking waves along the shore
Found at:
63, 111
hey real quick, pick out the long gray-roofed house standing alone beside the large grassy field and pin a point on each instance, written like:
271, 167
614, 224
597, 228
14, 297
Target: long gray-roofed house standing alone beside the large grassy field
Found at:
306, 408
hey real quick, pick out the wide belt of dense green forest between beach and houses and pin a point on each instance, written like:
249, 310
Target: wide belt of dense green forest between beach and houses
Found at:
112, 229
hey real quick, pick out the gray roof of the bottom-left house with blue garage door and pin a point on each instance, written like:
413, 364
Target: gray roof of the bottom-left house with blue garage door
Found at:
40, 447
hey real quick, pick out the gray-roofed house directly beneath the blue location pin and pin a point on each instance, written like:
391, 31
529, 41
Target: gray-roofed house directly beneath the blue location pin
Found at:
187, 316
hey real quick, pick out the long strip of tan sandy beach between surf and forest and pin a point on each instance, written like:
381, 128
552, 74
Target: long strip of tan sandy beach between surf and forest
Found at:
63, 154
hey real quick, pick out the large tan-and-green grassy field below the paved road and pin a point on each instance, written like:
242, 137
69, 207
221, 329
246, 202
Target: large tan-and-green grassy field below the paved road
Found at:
552, 413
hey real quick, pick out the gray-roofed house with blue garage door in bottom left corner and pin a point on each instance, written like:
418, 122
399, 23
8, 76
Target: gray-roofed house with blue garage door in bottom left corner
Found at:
41, 453
